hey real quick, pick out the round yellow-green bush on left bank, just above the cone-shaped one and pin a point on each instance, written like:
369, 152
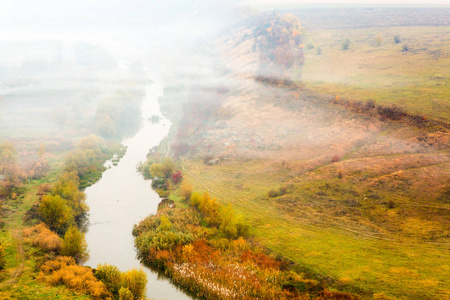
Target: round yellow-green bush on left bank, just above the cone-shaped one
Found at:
55, 212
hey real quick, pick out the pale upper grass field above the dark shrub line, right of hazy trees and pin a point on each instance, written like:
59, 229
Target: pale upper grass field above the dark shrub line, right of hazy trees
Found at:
417, 80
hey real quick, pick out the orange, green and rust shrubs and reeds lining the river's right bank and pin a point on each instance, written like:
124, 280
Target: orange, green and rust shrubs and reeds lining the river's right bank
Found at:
205, 247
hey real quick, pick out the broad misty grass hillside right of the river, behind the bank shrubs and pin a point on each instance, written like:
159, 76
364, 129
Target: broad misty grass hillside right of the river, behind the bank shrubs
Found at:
352, 195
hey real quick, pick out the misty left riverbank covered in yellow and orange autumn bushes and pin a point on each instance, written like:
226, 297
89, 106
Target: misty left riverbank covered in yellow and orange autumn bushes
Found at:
43, 207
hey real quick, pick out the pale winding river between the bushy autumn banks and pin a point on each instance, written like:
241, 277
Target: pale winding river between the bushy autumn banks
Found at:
121, 198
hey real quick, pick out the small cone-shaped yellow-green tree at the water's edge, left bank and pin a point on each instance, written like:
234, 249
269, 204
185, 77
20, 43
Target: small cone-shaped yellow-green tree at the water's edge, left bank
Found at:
75, 245
